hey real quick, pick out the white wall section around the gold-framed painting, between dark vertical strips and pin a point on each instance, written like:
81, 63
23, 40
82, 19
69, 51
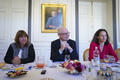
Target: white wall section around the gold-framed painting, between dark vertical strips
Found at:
42, 41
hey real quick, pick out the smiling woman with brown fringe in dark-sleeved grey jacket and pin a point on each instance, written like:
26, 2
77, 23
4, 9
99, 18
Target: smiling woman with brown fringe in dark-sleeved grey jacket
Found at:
21, 51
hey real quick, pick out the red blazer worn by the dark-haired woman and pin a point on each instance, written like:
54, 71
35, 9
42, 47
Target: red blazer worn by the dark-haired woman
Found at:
107, 49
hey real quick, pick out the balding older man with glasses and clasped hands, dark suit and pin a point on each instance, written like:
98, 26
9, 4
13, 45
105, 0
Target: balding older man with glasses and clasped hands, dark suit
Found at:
63, 46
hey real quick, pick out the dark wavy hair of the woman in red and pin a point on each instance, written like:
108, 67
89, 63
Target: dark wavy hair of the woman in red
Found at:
95, 38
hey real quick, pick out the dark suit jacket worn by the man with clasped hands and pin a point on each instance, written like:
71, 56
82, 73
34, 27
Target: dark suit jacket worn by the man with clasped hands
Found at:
56, 56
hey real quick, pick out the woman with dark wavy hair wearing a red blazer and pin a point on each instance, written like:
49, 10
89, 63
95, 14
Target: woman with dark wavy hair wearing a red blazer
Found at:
101, 40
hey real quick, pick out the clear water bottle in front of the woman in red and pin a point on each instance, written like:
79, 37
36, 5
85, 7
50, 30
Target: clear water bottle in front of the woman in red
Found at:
96, 57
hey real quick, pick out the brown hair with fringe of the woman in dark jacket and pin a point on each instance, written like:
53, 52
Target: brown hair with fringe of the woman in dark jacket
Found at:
19, 34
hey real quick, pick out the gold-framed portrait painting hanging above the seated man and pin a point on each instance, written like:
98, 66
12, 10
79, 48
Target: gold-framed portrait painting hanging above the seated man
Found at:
53, 16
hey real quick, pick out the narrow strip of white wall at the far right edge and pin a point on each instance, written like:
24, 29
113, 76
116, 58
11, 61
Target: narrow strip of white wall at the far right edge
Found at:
118, 22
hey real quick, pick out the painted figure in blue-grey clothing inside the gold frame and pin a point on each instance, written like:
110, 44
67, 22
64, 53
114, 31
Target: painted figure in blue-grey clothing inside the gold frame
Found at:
55, 18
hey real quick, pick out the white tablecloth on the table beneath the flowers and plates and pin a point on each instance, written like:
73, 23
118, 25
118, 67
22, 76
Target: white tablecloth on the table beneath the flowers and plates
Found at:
56, 73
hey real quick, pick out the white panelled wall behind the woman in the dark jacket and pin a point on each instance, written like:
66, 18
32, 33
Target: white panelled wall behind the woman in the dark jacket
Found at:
13, 16
